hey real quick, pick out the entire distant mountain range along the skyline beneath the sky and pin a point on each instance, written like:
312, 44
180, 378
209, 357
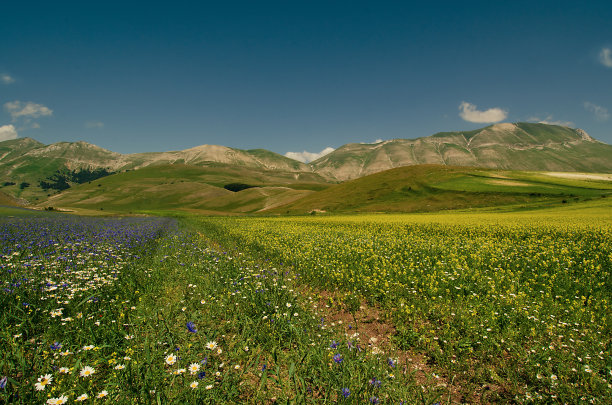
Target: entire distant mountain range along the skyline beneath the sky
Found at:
518, 146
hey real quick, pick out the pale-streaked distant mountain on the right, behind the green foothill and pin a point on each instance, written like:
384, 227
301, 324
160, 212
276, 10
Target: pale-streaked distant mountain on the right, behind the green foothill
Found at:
520, 146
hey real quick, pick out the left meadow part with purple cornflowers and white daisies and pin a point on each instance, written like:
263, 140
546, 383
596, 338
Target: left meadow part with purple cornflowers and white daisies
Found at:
147, 310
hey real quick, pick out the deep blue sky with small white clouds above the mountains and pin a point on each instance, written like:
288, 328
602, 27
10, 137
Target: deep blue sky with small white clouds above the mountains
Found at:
298, 75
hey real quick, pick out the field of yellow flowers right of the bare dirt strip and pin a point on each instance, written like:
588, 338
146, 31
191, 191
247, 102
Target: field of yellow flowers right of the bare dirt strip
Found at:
509, 306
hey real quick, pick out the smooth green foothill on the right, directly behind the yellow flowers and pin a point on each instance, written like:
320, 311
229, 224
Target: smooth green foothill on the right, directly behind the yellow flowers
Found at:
436, 187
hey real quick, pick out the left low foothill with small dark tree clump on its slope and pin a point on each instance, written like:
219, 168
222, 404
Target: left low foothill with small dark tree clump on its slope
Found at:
189, 188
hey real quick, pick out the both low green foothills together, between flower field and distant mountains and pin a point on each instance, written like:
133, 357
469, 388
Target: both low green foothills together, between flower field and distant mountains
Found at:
406, 189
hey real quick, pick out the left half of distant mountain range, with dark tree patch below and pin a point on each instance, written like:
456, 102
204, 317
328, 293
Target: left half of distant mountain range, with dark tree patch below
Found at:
25, 163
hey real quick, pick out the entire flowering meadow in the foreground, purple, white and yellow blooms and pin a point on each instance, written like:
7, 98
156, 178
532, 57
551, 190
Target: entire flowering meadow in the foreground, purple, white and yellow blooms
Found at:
477, 307
